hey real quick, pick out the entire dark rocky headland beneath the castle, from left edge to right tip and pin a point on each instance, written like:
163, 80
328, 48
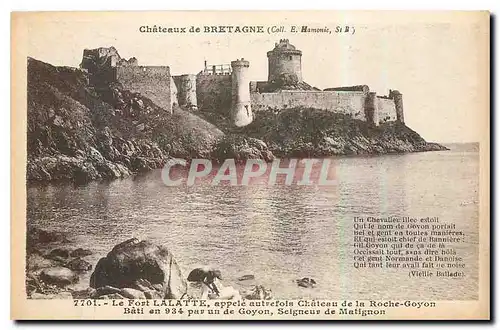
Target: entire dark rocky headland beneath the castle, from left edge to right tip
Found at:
81, 132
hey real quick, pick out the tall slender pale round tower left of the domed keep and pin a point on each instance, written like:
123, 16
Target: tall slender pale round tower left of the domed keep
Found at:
241, 111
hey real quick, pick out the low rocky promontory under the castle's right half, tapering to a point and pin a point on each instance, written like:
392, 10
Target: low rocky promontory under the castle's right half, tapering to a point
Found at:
316, 133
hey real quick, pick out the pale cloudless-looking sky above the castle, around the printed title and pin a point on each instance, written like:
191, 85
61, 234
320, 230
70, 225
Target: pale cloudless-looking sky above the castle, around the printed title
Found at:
434, 60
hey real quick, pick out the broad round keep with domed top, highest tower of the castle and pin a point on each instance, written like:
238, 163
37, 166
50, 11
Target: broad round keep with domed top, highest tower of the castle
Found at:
284, 60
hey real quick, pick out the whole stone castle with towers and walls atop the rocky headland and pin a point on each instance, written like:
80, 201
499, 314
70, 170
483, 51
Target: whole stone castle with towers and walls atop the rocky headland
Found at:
227, 89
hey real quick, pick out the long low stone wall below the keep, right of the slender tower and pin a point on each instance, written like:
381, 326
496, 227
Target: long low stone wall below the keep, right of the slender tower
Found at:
349, 103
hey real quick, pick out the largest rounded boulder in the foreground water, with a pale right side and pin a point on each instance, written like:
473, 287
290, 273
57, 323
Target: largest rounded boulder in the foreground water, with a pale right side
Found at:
135, 261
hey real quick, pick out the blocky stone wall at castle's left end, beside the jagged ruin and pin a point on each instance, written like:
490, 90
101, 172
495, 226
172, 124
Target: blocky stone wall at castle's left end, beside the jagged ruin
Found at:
154, 82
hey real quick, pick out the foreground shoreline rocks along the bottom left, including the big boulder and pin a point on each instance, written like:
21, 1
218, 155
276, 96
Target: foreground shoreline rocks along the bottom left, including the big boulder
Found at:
133, 269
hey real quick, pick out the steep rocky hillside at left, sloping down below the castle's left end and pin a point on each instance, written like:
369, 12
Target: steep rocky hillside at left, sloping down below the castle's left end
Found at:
82, 133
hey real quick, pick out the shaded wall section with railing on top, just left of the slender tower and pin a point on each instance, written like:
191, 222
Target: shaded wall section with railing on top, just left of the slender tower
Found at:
213, 92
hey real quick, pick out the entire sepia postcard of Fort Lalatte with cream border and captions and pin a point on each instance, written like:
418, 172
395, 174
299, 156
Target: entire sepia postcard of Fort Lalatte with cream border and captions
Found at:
219, 165
